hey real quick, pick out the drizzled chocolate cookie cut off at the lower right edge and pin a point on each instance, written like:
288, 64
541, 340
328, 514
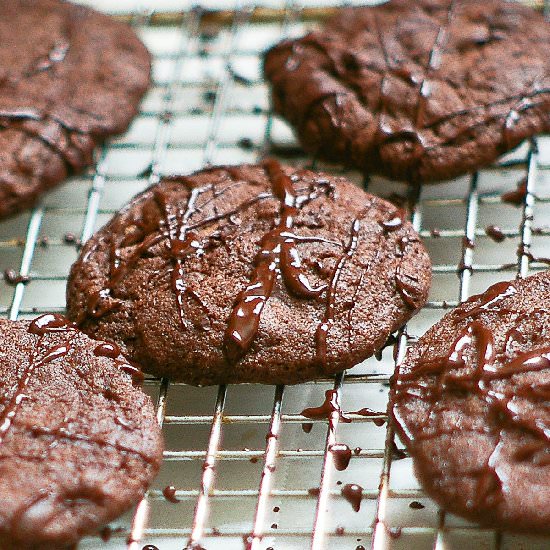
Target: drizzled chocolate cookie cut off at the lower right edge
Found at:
471, 401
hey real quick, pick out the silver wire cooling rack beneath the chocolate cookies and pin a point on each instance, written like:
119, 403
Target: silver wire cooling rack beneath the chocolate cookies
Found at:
244, 469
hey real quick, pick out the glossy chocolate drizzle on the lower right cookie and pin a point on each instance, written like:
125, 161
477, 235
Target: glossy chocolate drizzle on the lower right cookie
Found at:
474, 367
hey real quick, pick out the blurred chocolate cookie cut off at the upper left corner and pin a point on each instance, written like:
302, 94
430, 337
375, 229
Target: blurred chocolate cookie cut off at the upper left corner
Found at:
69, 77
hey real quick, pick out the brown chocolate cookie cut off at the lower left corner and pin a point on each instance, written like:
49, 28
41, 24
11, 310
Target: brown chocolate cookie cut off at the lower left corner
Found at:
79, 444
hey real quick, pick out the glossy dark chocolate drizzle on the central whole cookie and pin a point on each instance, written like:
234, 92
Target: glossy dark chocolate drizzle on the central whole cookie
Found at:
278, 258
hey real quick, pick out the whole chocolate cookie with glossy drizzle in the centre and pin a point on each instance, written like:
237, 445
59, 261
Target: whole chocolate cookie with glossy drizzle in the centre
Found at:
250, 274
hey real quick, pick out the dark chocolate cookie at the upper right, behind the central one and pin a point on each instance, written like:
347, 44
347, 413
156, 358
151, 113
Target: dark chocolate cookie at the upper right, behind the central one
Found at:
416, 91
